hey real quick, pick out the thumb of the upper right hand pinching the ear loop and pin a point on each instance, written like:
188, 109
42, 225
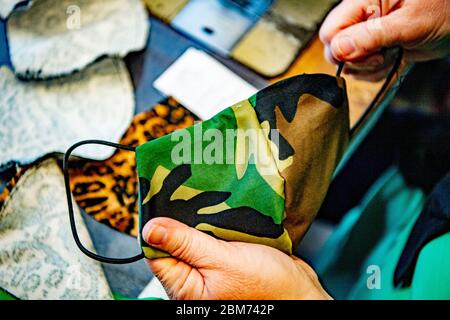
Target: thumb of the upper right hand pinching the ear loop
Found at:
366, 38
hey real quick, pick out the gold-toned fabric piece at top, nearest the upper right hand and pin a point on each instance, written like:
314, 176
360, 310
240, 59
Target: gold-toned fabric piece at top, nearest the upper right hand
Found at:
272, 45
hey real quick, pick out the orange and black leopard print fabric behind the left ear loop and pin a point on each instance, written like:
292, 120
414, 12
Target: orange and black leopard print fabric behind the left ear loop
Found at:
107, 190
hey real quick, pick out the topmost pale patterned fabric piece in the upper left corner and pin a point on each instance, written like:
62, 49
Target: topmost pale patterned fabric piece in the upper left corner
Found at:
55, 38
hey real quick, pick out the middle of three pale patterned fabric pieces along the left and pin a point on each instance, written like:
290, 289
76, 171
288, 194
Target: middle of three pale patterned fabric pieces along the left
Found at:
39, 118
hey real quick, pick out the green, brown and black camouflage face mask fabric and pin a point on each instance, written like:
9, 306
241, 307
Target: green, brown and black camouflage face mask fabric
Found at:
256, 172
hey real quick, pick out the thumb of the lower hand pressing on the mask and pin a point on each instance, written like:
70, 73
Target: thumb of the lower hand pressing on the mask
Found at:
185, 243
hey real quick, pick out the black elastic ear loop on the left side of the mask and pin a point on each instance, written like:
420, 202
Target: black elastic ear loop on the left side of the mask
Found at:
69, 203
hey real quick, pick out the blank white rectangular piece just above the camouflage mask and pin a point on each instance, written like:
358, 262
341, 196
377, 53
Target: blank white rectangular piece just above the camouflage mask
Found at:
202, 84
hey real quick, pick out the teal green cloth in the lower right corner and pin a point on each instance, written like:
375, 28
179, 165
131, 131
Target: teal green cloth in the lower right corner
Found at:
374, 234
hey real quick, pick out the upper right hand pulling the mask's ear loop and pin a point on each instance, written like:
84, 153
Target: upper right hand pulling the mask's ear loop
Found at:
357, 31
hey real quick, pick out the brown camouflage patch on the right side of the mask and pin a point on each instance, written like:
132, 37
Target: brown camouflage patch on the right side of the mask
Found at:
316, 126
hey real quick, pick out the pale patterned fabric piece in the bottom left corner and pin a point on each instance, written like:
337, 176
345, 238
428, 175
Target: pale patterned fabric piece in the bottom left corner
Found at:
38, 256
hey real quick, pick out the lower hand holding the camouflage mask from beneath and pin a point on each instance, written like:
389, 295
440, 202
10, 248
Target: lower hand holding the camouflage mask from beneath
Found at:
203, 267
